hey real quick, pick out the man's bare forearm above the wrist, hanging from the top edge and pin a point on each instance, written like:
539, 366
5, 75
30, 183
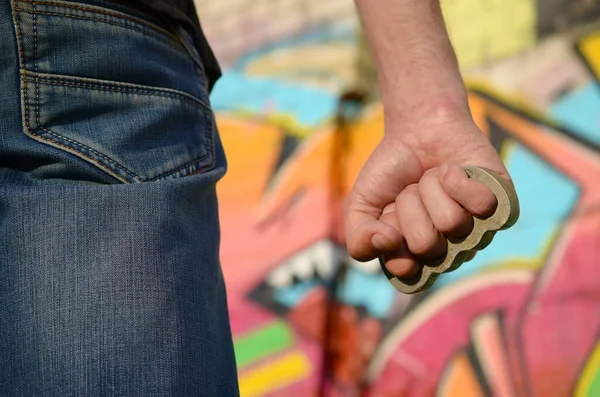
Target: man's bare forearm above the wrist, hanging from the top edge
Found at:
416, 64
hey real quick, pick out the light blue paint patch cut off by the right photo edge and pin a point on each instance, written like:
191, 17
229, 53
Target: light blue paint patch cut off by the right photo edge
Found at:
580, 112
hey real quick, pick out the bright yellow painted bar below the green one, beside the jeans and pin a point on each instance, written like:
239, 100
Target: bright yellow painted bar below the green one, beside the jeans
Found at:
275, 374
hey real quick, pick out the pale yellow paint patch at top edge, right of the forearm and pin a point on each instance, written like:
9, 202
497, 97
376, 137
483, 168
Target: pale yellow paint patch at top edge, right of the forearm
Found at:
486, 30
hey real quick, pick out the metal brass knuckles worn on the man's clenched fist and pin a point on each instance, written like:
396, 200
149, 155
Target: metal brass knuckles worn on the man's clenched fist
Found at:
506, 215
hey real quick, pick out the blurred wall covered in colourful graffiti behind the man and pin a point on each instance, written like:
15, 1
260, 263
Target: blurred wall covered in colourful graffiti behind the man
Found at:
298, 114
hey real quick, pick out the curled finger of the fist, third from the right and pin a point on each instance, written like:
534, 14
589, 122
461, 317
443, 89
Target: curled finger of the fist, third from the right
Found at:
416, 226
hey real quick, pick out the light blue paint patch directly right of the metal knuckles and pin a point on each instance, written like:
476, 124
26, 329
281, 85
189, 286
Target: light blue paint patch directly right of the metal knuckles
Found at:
546, 198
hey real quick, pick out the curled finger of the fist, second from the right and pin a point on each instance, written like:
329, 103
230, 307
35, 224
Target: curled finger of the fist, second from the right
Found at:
448, 217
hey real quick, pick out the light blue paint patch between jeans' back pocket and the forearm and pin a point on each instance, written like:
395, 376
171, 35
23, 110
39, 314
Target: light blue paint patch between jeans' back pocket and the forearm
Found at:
308, 106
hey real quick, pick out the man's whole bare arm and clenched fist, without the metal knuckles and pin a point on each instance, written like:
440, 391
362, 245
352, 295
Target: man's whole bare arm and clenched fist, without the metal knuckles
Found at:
412, 190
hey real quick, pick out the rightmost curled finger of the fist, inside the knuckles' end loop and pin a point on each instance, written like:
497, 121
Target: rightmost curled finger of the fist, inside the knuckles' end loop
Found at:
474, 196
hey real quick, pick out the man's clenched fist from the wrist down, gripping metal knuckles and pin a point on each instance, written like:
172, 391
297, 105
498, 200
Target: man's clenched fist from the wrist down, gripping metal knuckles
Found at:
412, 191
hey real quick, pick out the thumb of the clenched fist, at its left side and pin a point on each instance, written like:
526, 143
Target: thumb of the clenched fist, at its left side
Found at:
367, 237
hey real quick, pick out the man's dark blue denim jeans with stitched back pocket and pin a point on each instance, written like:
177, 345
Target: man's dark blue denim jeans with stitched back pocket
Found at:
110, 281
